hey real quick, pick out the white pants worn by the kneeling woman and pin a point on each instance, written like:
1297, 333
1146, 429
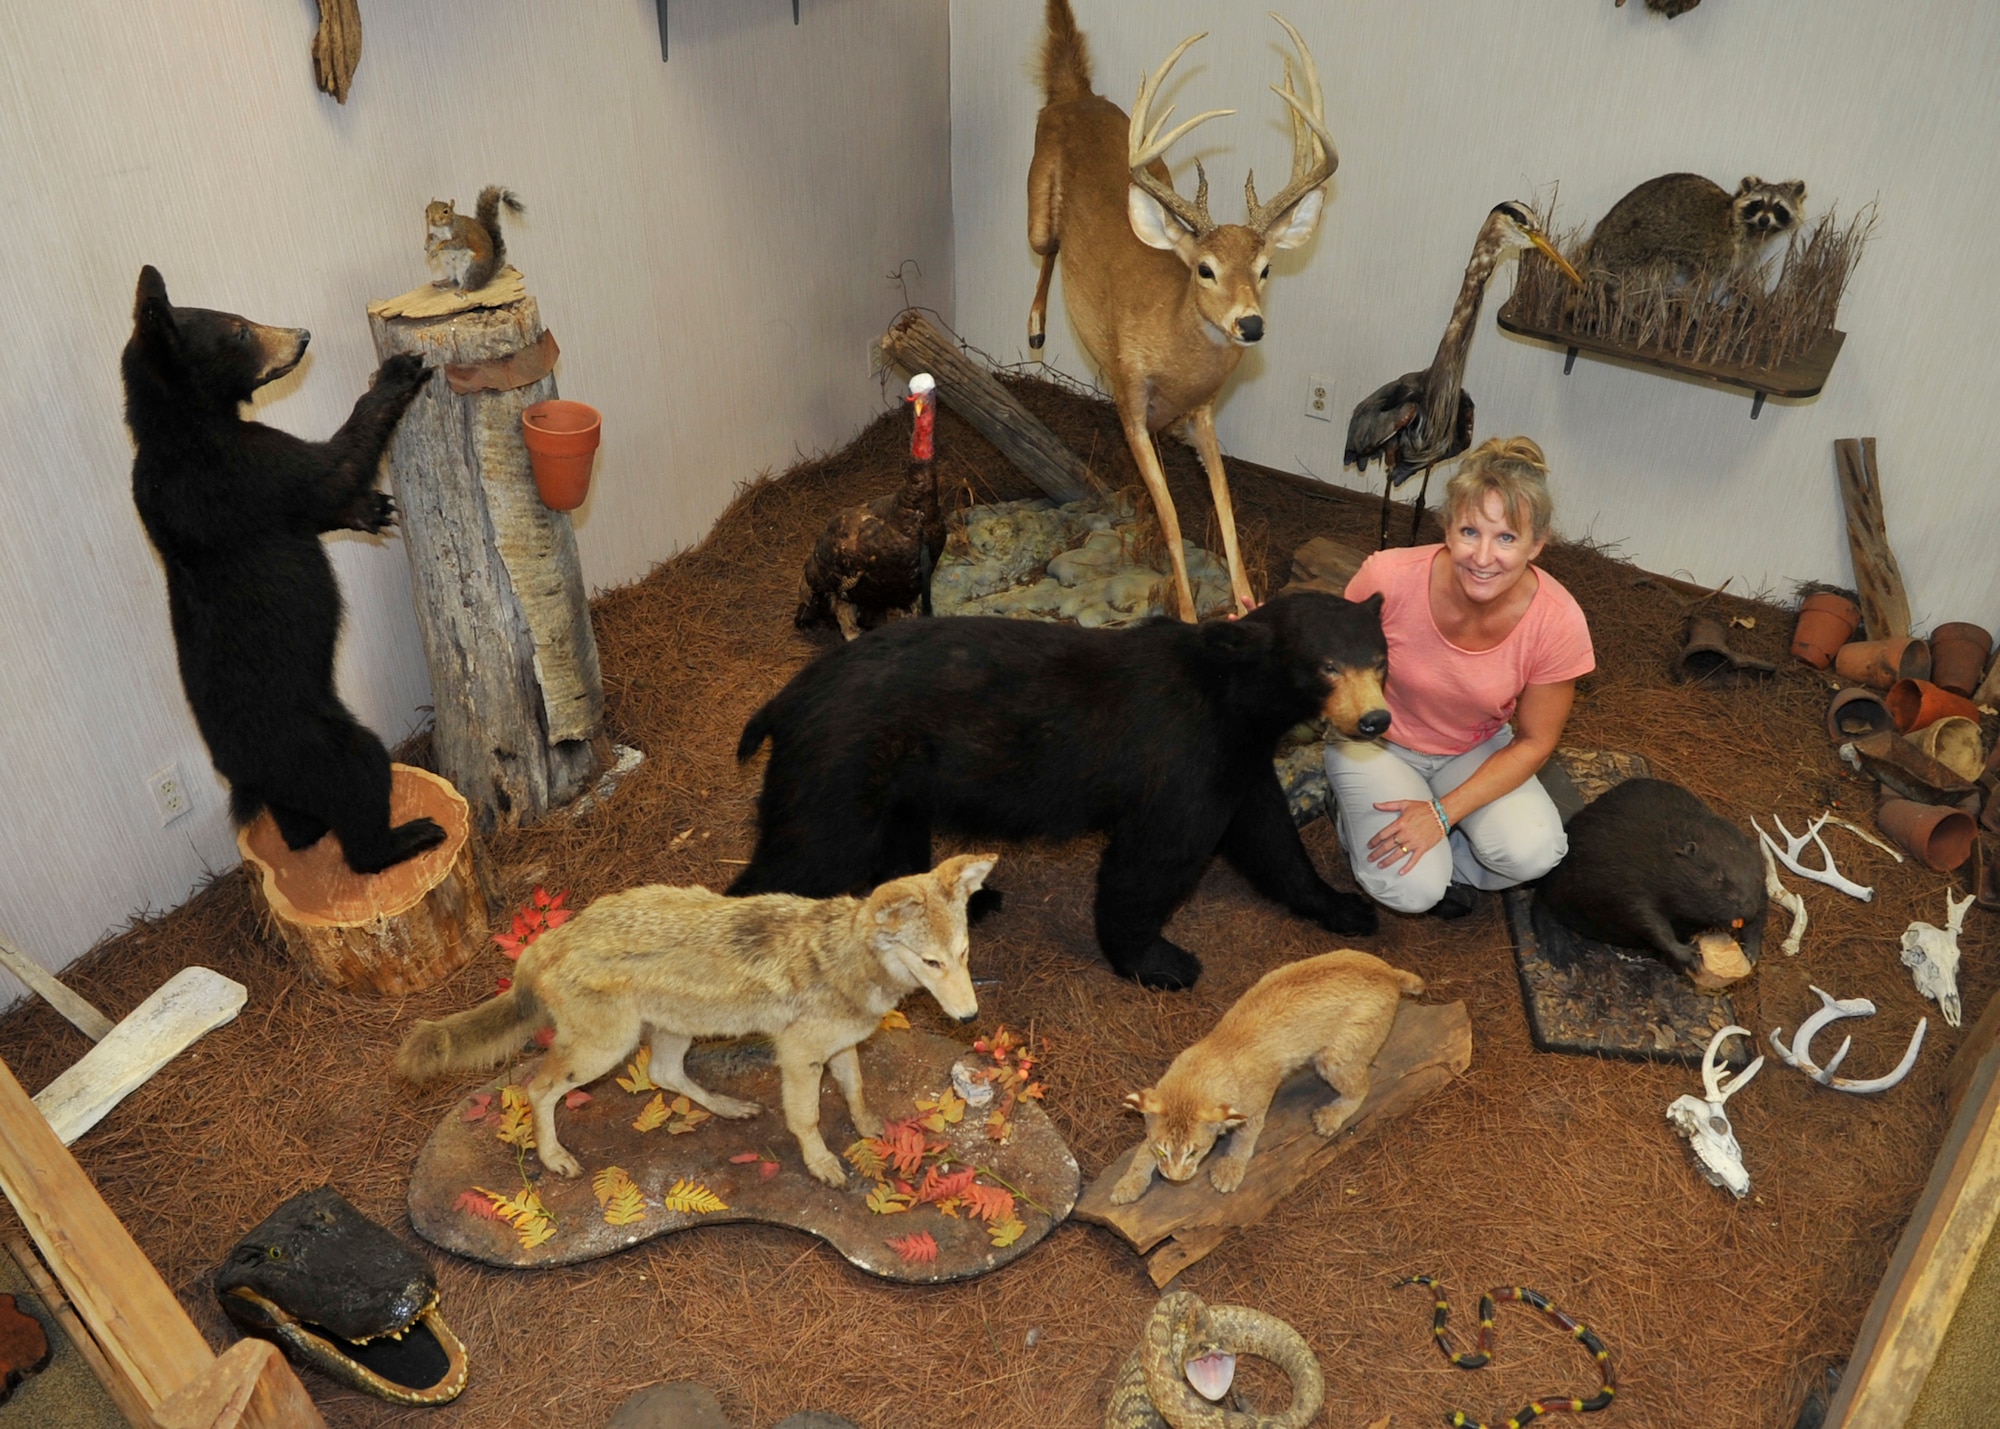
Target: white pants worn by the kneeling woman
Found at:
1513, 840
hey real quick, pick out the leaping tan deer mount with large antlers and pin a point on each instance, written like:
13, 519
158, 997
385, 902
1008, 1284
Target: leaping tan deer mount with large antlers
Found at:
1163, 297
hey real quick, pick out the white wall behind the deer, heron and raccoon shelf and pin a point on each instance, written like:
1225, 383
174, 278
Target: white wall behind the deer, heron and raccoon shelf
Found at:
1445, 109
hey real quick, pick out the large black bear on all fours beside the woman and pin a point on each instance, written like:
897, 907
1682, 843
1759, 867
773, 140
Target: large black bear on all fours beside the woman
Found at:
1159, 736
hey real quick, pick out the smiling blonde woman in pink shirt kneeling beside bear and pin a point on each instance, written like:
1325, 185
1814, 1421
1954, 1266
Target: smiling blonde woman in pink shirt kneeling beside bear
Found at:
1477, 637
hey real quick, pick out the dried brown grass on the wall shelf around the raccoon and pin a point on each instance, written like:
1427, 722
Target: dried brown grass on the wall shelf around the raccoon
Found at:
1717, 319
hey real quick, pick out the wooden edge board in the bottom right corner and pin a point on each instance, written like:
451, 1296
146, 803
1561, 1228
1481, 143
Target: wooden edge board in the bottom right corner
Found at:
1935, 1258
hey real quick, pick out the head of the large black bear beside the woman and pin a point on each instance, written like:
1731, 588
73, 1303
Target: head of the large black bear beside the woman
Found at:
1333, 655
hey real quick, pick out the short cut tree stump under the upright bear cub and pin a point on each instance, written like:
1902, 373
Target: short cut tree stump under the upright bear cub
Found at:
393, 932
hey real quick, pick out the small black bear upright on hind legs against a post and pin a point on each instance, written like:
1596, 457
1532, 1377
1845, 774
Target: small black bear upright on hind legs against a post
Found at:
237, 511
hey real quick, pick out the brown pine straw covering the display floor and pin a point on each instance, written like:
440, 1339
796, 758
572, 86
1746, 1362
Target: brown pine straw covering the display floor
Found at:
1537, 1170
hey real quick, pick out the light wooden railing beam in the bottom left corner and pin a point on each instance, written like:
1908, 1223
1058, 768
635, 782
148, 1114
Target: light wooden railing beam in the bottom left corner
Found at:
145, 1338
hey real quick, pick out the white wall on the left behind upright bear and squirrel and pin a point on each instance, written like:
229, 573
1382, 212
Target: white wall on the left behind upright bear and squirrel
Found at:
709, 241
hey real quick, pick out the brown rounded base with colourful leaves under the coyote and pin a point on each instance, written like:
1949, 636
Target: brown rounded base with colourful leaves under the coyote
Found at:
899, 1068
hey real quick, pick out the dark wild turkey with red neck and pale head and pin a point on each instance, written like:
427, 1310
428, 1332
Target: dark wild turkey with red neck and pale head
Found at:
875, 561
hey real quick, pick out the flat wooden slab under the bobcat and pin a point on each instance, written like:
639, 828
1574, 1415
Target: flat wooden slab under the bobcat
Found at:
1425, 1050
